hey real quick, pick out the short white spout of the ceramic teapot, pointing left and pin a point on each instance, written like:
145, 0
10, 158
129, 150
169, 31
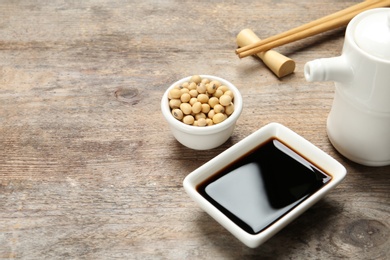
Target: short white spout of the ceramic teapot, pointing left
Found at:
329, 69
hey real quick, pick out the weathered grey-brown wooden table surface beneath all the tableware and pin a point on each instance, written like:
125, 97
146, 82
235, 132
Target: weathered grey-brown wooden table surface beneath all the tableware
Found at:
88, 166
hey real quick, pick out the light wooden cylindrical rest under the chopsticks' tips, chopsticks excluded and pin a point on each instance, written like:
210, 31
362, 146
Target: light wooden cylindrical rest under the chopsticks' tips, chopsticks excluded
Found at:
278, 63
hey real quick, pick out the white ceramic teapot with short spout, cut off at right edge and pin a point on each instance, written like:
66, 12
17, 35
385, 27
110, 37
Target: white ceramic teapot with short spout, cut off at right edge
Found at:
358, 124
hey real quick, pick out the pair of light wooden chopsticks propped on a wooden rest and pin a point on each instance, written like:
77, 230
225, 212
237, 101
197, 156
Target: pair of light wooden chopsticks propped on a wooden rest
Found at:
323, 24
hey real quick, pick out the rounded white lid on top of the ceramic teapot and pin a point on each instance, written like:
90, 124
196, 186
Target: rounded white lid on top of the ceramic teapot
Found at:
372, 33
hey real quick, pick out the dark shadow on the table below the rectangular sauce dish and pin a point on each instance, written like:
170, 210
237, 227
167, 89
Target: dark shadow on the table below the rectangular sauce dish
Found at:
294, 237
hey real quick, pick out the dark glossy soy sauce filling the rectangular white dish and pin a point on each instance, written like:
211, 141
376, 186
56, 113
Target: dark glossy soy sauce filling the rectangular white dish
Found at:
262, 186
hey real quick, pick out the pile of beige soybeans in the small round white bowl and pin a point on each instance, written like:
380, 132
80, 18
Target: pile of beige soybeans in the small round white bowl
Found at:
201, 101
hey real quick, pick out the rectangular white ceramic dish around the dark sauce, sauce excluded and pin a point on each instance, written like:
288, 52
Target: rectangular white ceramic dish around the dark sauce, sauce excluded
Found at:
298, 143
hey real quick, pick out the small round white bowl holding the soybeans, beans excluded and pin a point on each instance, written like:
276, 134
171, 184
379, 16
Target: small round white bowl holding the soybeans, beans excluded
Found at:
208, 137
